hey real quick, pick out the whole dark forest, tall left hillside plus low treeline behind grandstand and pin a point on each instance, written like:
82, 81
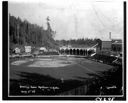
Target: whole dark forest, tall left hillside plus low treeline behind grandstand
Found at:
24, 33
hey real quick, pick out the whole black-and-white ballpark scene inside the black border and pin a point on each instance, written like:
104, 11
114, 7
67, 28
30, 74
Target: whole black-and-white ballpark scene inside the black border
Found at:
66, 48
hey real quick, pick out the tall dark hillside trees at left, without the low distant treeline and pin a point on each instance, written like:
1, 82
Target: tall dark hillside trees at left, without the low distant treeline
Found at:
25, 33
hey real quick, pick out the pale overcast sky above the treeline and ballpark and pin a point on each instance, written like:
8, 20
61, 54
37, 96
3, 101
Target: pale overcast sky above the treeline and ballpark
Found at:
74, 19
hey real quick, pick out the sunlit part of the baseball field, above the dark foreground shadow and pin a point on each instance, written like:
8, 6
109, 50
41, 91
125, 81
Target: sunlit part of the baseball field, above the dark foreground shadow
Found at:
57, 67
